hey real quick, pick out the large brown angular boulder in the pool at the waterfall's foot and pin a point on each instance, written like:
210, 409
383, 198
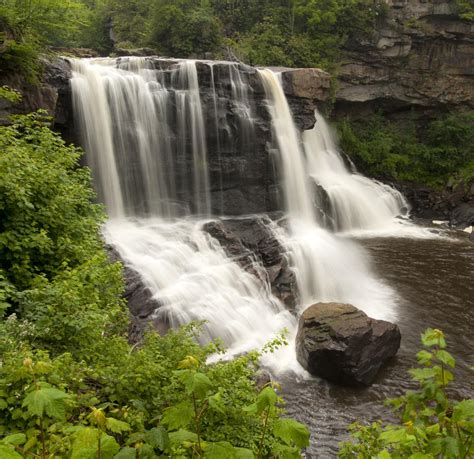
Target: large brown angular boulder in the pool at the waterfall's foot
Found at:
340, 343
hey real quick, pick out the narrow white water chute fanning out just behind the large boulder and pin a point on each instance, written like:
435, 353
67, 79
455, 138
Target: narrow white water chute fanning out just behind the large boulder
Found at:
328, 268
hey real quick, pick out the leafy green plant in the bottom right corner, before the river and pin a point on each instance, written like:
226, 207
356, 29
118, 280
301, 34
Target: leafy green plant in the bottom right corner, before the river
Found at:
431, 425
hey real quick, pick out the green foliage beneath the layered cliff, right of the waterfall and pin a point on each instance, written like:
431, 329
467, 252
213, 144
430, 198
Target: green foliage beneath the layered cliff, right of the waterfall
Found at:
443, 150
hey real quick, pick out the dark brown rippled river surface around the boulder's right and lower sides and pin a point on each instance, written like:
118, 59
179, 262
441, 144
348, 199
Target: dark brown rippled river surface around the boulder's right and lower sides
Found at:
434, 282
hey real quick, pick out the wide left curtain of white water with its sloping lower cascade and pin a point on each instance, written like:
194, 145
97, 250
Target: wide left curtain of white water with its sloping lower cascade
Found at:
123, 112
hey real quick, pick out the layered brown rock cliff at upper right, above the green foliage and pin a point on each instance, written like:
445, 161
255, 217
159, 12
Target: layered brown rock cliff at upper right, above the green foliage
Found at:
421, 58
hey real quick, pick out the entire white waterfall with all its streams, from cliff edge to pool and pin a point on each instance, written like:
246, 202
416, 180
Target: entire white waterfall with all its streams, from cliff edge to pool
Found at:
148, 129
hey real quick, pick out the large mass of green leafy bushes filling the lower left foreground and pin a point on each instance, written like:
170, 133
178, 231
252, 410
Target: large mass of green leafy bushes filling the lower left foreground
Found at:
70, 383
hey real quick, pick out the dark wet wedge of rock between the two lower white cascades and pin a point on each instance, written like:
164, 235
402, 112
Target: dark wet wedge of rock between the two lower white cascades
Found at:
250, 239
